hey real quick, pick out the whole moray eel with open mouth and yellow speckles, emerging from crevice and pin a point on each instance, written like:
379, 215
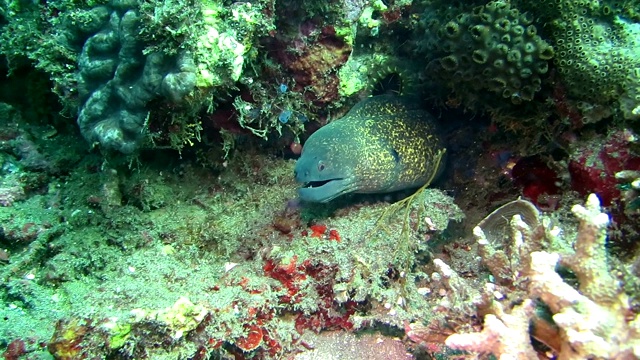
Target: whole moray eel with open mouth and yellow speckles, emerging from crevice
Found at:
383, 144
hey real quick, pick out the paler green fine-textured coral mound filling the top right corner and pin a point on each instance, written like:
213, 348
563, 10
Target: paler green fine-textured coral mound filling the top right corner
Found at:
597, 47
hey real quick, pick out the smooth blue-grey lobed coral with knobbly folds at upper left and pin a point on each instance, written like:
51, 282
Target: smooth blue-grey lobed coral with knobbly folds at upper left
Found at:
116, 80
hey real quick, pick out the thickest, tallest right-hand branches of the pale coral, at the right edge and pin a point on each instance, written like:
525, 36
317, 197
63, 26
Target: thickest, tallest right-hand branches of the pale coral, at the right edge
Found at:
596, 321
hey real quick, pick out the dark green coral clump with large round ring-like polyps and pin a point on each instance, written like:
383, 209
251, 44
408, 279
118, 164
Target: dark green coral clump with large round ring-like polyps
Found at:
493, 47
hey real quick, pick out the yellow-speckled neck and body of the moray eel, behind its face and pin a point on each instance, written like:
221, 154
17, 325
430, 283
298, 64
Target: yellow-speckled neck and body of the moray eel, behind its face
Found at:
388, 144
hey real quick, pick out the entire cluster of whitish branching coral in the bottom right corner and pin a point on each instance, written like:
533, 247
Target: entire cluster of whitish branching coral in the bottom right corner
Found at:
594, 321
